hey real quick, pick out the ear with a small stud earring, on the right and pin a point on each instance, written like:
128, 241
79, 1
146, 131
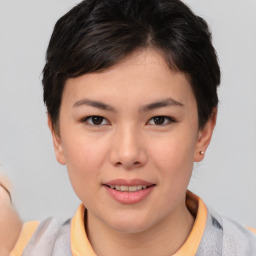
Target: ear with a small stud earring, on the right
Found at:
204, 137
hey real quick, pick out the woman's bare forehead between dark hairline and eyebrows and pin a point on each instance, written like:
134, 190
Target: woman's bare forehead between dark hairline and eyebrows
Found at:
142, 76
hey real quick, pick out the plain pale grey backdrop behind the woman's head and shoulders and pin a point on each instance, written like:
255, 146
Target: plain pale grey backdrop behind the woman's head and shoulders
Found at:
226, 179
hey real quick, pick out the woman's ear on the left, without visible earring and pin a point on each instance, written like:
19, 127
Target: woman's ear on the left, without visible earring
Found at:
56, 142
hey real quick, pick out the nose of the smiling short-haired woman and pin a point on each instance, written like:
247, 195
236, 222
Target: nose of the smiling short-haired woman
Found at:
127, 149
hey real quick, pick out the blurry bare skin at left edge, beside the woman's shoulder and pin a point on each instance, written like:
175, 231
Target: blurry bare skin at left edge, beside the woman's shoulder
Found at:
10, 222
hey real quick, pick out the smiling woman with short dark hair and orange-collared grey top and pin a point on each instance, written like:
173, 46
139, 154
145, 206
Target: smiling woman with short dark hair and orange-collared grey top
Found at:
131, 94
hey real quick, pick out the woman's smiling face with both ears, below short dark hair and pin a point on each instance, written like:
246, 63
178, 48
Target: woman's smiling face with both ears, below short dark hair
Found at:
129, 137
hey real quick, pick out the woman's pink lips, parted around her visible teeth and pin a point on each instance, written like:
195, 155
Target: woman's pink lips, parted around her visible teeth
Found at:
129, 197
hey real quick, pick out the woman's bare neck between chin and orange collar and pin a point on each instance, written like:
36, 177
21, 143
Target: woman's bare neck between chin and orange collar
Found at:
164, 238
